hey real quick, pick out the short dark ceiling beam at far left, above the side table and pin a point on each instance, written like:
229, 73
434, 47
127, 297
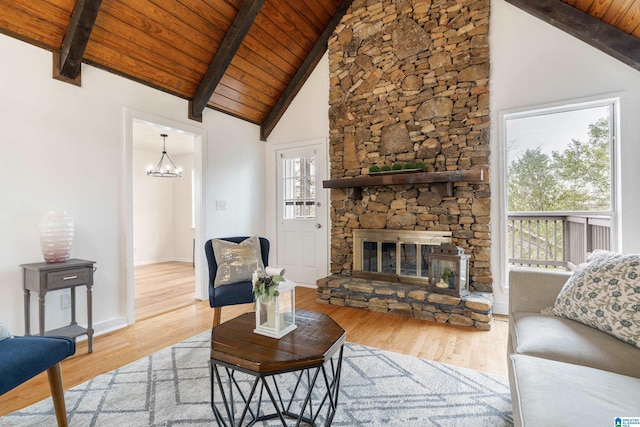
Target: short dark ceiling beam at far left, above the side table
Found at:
69, 61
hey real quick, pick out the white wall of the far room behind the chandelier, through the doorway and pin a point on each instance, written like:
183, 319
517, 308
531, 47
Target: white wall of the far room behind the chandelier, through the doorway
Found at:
162, 224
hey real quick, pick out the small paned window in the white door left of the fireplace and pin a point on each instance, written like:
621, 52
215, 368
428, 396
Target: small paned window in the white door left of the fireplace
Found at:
299, 183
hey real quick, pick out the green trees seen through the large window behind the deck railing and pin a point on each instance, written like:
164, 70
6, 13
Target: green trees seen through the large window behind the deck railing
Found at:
577, 178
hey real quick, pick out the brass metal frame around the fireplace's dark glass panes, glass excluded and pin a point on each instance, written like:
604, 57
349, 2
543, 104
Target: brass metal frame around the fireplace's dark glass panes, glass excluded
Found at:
418, 237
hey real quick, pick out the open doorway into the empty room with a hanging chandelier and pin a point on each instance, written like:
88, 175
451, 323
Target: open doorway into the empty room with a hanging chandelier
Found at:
164, 217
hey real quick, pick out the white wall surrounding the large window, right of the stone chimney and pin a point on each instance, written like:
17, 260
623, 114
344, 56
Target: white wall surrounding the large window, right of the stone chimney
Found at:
535, 64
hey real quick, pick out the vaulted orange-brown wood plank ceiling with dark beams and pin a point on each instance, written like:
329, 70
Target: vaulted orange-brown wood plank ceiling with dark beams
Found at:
246, 58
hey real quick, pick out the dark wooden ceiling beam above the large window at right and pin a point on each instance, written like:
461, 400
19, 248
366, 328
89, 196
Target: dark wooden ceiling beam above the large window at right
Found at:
585, 27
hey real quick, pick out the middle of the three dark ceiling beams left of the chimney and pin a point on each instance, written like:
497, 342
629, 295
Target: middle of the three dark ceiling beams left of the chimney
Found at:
221, 60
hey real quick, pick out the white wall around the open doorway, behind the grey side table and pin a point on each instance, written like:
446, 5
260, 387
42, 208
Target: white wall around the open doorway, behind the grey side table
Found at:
63, 148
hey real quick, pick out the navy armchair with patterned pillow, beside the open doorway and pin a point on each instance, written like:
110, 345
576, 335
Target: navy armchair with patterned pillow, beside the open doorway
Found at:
224, 288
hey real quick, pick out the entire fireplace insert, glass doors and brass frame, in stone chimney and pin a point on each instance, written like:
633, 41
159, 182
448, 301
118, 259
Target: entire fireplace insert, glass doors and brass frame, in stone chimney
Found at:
395, 255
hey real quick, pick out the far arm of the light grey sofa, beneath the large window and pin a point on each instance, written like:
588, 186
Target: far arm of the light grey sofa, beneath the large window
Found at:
533, 290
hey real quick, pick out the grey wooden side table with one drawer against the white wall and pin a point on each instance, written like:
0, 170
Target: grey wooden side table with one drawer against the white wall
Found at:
43, 277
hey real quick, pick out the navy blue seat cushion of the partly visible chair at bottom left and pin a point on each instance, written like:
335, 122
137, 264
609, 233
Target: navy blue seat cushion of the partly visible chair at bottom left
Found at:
22, 358
